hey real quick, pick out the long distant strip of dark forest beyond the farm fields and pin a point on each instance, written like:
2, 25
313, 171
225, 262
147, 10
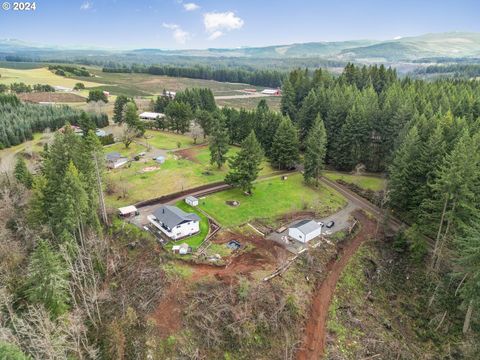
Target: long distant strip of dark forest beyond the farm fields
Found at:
270, 78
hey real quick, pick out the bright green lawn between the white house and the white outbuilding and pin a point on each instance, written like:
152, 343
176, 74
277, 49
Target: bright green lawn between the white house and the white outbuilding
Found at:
271, 198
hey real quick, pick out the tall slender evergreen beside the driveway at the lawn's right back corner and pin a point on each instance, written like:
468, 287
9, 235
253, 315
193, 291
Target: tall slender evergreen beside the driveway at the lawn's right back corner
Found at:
315, 151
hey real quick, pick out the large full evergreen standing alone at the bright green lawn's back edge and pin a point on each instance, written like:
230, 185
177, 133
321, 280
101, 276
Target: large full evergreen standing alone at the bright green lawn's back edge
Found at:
245, 166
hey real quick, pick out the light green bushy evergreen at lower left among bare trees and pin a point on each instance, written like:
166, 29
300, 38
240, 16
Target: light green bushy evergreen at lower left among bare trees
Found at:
47, 280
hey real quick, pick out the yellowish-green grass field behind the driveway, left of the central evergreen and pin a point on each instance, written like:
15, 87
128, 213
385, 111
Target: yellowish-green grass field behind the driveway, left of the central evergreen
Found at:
176, 174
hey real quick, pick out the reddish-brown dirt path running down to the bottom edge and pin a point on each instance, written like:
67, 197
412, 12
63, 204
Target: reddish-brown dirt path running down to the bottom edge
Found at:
315, 331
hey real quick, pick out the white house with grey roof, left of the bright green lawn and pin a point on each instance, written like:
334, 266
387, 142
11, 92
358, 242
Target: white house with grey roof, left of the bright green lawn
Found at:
174, 222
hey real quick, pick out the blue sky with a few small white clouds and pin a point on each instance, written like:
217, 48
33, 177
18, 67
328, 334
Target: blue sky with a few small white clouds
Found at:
176, 24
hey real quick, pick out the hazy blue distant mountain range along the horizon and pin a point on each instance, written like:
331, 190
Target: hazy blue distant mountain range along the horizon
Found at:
440, 45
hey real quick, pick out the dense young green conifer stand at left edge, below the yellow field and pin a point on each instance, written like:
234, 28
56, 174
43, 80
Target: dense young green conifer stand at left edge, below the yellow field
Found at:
18, 120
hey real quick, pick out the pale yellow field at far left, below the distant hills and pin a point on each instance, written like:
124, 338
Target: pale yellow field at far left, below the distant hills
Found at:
39, 76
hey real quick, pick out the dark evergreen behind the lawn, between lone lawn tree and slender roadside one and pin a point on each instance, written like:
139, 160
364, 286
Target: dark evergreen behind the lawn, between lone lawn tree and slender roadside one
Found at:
285, 146
